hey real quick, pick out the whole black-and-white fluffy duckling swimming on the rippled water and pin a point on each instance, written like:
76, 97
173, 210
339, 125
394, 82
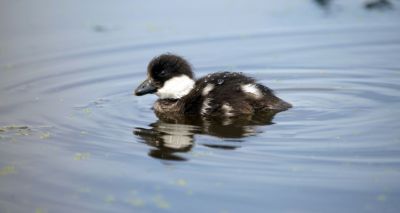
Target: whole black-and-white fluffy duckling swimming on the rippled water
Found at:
224, 94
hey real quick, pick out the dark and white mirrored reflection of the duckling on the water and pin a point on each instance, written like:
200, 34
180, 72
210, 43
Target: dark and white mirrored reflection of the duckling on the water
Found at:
169, 137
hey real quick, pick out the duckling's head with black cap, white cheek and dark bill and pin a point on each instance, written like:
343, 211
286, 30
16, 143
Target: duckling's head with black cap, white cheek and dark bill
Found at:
168, 76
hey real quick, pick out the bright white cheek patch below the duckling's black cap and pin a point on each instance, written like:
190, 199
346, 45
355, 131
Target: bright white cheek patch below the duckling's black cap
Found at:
176, 87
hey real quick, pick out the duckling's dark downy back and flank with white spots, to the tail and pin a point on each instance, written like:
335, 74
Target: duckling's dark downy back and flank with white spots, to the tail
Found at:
231, 94
